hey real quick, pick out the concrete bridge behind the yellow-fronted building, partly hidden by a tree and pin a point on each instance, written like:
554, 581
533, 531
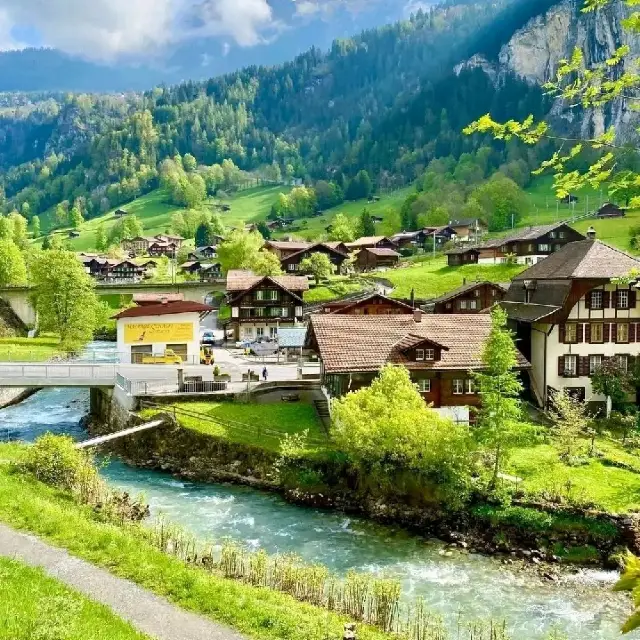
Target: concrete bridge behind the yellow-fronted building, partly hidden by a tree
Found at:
19, 298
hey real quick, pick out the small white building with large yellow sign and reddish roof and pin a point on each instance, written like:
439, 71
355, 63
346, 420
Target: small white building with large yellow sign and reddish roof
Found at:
151, 329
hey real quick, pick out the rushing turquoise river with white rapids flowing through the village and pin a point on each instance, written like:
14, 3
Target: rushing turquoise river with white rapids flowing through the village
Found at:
479, 587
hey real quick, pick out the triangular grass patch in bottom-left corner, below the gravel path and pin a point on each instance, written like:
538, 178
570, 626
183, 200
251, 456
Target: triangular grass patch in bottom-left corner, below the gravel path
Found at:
32, 605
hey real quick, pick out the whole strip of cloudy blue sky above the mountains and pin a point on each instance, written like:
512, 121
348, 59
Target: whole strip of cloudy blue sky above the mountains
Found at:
112, 30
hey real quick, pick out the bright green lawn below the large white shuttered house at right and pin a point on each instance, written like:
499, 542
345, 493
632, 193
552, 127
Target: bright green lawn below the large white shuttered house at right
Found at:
597, 480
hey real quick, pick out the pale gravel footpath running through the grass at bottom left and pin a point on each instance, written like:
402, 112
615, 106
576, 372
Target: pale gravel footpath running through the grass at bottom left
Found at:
147, 612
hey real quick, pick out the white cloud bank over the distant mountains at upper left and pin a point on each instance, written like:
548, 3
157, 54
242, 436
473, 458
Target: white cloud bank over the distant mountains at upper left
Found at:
107, 29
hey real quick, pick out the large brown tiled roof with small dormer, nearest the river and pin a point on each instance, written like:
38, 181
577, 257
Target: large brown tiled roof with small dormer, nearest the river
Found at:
365, 343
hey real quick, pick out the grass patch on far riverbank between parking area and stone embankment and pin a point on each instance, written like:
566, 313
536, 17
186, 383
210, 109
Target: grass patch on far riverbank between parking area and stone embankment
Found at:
260, 425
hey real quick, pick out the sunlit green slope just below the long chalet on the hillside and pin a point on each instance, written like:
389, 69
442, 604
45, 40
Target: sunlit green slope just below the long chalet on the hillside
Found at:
432, 278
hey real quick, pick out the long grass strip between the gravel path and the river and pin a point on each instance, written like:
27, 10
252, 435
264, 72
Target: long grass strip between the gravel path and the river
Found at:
259, 613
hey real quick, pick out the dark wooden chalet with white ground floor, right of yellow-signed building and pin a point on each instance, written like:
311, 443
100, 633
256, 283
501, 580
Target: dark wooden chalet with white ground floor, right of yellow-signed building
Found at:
261, 304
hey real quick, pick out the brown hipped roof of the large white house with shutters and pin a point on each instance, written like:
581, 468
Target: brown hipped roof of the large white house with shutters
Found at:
590, 259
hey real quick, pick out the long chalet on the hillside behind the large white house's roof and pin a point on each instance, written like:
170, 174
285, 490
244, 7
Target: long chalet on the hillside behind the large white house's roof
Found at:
526, 246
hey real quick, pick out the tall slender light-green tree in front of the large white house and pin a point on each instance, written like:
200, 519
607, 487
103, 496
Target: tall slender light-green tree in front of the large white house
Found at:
499, 387
